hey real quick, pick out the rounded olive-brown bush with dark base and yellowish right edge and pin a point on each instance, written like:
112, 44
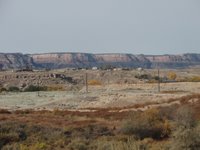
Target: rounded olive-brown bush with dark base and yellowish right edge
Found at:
149, 124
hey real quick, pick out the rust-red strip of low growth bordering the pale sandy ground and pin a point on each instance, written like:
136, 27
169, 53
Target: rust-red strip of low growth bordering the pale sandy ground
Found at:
59, 118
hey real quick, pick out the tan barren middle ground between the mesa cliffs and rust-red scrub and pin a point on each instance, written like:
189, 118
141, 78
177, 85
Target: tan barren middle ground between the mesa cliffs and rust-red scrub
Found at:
109, 89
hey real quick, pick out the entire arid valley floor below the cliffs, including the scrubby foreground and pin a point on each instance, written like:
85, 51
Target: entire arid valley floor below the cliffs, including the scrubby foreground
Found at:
97, 109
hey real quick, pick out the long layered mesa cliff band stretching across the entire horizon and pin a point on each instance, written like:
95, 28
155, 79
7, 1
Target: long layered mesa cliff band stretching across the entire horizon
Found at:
78, 60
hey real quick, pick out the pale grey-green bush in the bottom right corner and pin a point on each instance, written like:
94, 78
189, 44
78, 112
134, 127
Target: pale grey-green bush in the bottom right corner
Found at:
186, 135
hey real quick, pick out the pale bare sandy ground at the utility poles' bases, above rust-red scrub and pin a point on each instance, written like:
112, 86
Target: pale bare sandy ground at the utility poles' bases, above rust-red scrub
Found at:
115, 95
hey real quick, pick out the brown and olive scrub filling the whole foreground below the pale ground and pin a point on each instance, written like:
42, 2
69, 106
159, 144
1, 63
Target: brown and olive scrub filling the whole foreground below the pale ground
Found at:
174, 127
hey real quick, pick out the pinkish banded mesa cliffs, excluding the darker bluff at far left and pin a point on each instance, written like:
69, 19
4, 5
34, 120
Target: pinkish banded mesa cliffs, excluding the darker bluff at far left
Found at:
61, 60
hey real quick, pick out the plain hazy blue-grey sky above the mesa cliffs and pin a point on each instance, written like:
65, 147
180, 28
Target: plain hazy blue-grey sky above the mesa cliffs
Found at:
100, 26
